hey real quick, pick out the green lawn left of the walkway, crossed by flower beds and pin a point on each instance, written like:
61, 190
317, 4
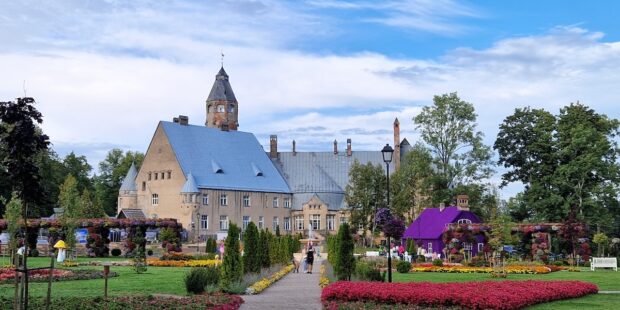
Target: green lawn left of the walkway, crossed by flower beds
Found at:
166, 280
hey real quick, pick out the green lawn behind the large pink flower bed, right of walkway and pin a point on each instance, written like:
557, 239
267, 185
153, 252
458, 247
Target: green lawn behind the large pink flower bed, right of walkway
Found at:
607, 280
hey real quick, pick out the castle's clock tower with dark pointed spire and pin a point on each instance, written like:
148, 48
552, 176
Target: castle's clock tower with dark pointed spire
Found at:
222, 106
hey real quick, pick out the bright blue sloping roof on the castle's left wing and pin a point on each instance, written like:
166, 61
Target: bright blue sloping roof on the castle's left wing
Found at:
202, 150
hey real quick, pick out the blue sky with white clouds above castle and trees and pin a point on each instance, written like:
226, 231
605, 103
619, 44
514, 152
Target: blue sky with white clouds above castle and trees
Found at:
105, 72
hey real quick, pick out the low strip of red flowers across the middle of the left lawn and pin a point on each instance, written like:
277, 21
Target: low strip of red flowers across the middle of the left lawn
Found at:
41, 275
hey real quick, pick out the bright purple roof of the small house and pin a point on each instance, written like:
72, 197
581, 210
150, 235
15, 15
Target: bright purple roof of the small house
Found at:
432, 222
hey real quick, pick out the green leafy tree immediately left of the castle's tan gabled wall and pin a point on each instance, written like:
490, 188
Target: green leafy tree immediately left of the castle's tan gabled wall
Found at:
113, 169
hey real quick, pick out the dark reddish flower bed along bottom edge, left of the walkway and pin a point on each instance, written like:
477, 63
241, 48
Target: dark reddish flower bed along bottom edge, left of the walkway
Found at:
212, 301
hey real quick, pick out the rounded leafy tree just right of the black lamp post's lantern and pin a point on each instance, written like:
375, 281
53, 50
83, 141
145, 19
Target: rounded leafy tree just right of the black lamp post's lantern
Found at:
411, 185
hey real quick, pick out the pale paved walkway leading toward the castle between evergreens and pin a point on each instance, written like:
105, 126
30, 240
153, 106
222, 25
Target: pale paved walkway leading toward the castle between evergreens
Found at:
294, 291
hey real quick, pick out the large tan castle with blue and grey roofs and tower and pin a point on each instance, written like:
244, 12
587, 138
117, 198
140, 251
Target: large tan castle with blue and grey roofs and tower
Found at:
209, 176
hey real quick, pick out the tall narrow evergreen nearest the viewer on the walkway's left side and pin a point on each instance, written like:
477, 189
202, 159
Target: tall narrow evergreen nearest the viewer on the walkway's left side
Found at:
232, 266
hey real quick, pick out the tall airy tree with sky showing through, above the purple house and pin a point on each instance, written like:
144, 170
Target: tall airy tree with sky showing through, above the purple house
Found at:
448, 127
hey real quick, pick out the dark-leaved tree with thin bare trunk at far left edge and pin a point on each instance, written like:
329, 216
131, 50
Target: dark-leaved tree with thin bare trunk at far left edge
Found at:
20, 141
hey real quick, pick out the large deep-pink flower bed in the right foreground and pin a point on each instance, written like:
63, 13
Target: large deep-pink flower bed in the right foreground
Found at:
468, 295
